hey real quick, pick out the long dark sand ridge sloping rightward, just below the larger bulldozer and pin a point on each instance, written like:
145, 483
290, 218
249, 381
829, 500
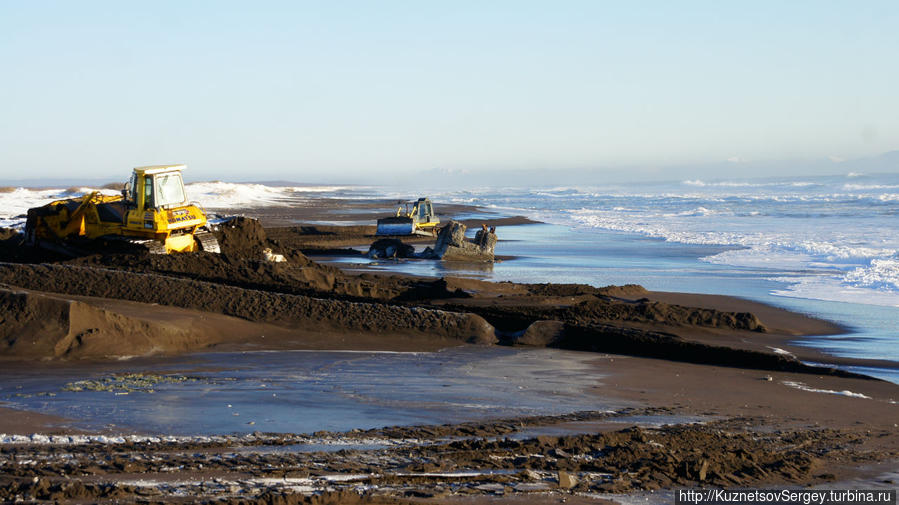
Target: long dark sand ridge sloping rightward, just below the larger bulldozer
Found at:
253, 305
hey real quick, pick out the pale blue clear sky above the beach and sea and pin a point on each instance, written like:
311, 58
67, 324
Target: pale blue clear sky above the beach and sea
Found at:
362, 91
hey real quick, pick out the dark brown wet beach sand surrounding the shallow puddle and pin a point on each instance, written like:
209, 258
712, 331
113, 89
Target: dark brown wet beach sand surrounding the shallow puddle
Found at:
769, 419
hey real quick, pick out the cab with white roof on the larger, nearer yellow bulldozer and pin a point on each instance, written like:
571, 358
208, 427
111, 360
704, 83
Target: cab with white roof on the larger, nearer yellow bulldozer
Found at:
156, 188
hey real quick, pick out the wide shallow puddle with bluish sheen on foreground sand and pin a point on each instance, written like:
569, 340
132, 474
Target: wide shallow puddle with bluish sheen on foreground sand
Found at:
307, 391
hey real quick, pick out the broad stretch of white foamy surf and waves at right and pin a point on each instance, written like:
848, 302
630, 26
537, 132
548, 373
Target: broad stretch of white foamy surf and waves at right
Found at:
836, 245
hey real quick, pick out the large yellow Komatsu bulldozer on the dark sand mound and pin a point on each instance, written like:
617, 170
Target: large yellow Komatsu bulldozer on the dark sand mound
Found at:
152, 214
